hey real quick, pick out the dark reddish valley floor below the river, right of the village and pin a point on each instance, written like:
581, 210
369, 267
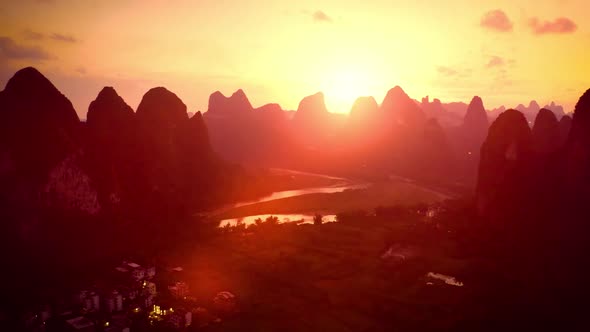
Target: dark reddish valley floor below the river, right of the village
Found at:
369, 273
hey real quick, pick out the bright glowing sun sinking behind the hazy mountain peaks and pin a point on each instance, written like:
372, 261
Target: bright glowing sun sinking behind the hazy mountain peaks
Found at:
344, 85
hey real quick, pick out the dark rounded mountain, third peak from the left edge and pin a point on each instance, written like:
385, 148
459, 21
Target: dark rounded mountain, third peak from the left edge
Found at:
177, 164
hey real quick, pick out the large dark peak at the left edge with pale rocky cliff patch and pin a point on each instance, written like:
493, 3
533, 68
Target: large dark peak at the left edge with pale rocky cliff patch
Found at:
42, 141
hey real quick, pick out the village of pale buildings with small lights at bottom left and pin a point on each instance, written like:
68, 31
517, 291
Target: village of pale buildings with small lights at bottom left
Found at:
133, 298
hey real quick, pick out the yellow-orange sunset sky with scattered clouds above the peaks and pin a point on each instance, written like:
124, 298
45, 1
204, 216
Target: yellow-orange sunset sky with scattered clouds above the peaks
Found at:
507, 52
